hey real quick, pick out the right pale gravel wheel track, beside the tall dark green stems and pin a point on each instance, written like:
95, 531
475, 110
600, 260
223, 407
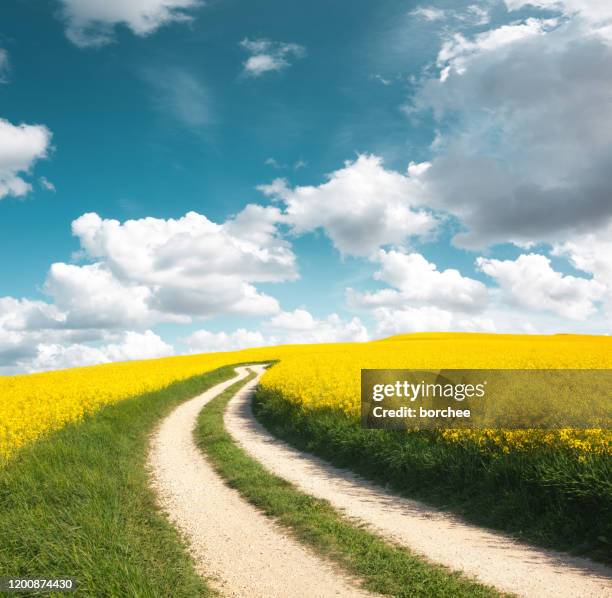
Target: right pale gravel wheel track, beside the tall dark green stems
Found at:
490, 557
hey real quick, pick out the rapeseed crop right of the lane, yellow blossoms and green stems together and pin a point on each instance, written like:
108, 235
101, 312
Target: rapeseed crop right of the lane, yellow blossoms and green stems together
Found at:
550, 487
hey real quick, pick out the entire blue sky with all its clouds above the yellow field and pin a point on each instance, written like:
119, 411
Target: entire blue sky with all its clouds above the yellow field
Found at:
410, 166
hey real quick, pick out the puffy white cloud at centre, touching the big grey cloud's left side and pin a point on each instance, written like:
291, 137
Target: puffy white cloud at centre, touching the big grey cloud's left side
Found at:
361, 207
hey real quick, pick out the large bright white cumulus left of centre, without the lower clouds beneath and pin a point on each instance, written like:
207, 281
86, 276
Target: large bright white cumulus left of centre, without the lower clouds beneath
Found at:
190, 266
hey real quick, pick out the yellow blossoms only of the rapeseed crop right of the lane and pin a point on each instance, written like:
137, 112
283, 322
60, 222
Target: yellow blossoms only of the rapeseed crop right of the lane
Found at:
331, 378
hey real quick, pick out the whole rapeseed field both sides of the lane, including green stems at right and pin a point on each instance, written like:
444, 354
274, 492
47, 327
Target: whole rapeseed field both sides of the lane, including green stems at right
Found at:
549, 487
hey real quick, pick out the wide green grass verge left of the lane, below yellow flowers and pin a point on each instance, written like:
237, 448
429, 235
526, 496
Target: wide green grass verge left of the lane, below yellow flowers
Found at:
77, 503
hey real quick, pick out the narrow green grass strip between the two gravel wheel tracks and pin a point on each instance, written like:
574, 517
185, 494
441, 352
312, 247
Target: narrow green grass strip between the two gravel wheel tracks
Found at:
385, 568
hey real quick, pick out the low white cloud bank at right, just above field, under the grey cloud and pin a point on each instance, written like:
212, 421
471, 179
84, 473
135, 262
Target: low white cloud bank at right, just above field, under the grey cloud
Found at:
530, 295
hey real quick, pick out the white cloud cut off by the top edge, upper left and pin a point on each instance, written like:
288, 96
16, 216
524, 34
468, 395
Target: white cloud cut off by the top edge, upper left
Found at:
92, 22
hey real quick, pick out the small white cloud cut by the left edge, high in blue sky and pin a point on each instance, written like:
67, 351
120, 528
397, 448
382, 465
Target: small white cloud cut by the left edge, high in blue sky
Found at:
20, 147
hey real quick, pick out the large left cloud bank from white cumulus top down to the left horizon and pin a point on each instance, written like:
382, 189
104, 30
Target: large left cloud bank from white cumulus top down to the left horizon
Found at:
142, 272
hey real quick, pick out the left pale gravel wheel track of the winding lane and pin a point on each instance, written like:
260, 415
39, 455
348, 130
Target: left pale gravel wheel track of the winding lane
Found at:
242, 551
